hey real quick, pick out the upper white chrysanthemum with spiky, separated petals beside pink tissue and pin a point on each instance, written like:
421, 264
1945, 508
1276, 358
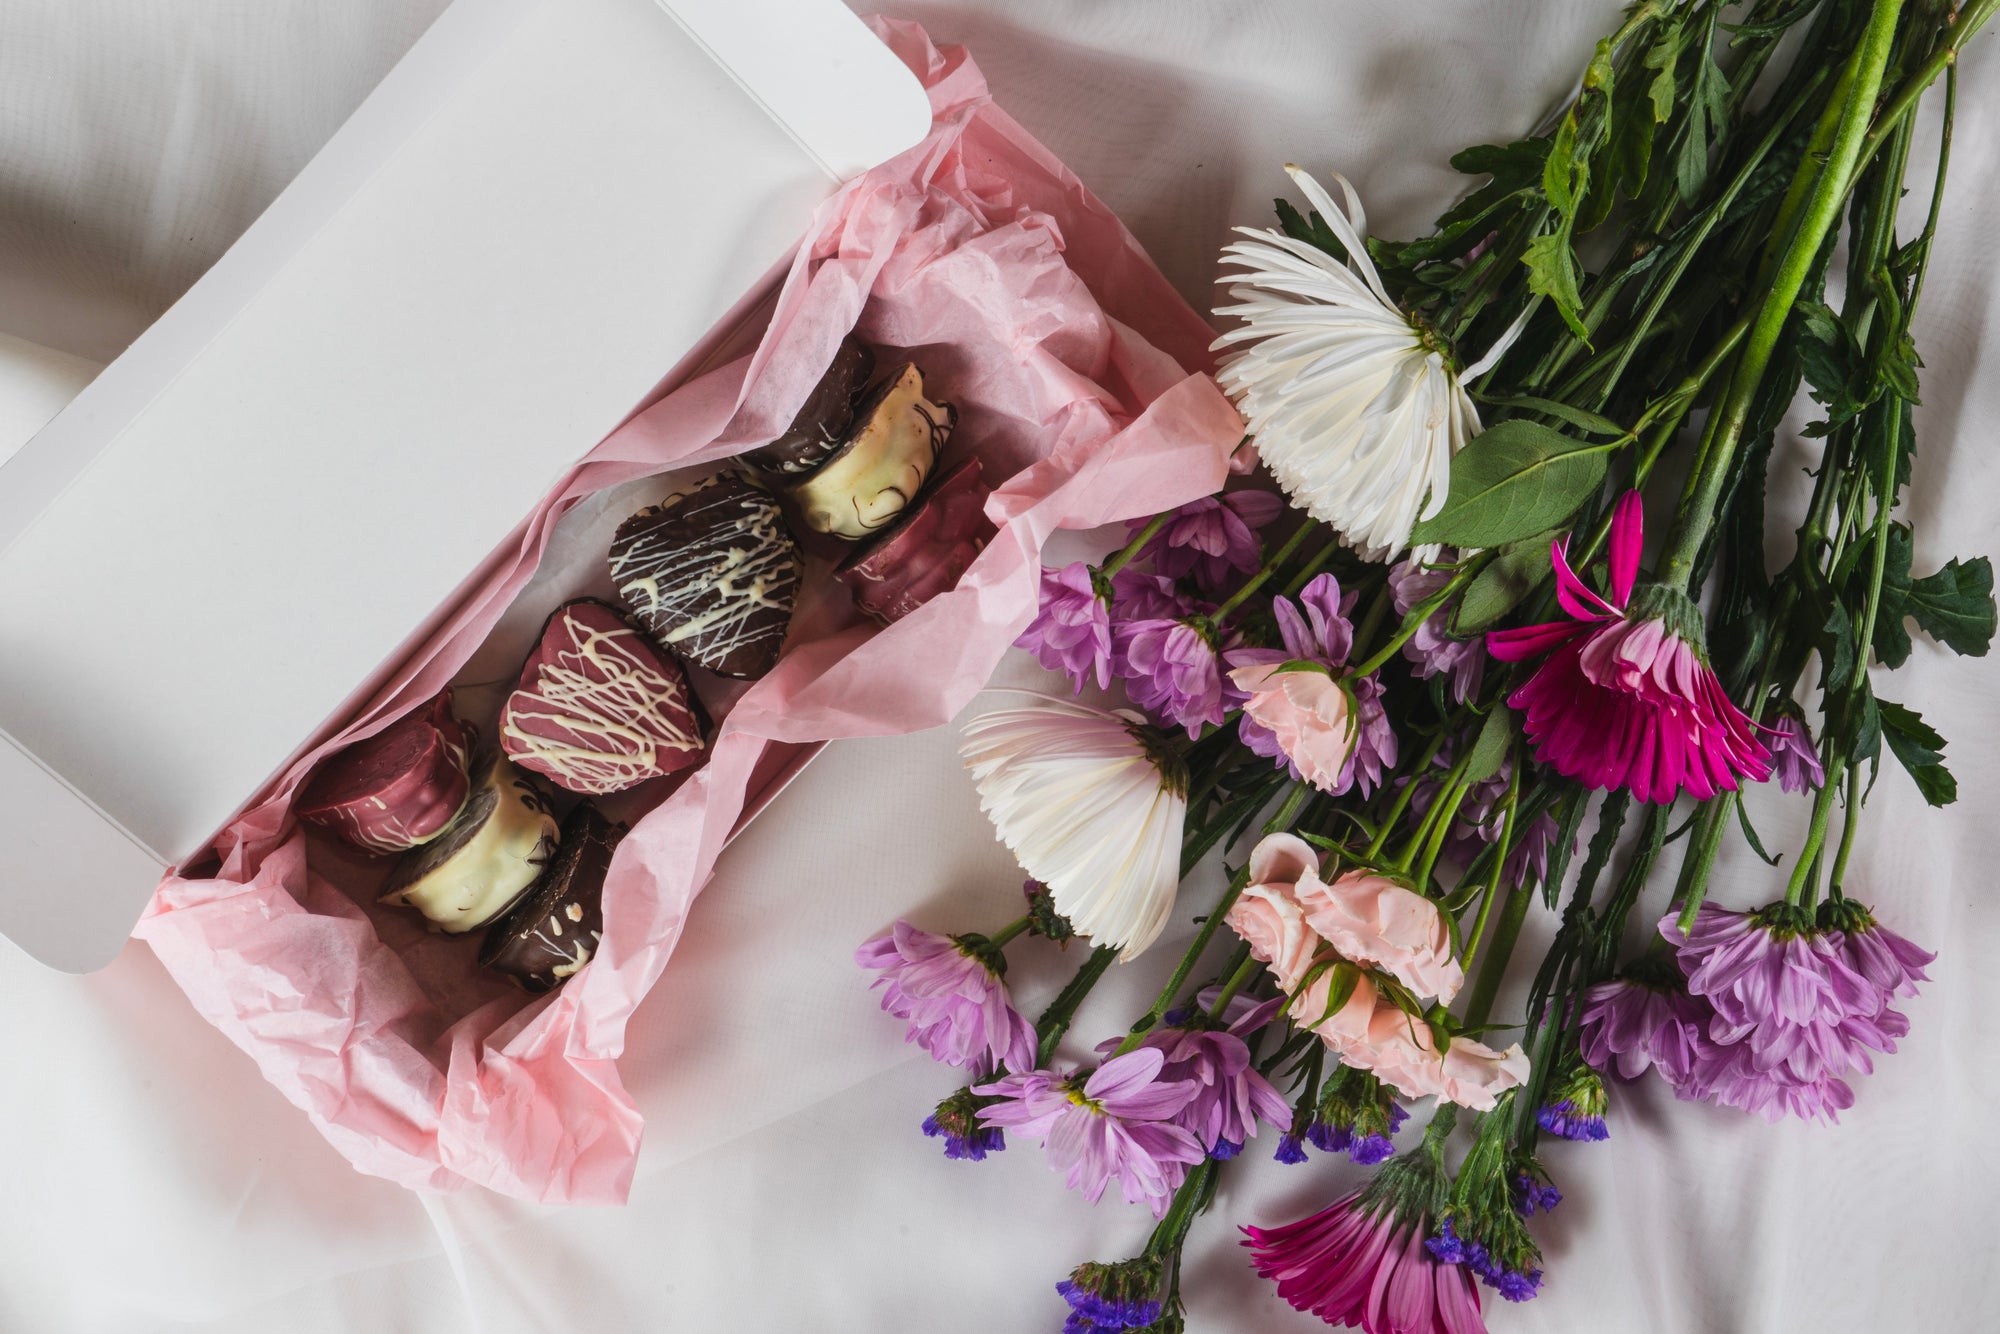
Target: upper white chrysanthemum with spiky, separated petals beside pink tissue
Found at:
1353, 407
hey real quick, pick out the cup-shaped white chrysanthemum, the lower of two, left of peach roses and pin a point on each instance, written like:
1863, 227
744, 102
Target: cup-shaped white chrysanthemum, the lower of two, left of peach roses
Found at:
1089, 809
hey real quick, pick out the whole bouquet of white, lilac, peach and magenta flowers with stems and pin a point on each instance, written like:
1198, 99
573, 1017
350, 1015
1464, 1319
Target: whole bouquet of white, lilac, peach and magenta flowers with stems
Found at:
1509, 643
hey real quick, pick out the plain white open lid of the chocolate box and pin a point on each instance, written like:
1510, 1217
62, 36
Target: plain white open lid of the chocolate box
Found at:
541, 211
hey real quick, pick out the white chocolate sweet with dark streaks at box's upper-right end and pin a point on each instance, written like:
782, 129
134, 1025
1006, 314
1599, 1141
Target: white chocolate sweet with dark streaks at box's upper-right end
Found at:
891, 451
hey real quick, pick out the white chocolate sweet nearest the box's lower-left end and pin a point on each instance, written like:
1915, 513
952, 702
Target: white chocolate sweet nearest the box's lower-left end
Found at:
487, 857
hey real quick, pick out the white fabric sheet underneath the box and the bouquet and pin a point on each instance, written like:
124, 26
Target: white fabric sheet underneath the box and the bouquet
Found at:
159, 1185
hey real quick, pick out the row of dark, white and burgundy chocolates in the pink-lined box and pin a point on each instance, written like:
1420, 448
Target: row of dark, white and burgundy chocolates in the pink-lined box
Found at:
603, 703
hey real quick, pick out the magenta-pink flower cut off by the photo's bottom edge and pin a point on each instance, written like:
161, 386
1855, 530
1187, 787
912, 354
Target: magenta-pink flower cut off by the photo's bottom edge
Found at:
1363, 1261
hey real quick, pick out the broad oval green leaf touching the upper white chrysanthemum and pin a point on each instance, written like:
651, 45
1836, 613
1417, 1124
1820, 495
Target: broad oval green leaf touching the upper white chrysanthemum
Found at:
1513, 483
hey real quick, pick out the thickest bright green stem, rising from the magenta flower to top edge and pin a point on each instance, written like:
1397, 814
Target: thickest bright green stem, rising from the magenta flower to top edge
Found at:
1705, 487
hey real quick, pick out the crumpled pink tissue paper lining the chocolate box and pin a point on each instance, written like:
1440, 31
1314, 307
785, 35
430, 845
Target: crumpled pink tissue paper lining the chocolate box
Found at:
1081, 377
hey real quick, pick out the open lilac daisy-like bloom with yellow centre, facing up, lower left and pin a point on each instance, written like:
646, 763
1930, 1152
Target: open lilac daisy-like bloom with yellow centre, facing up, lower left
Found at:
1115, 1123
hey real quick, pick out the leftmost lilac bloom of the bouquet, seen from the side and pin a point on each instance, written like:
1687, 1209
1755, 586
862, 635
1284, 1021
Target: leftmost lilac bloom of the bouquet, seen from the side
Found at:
949, 989
